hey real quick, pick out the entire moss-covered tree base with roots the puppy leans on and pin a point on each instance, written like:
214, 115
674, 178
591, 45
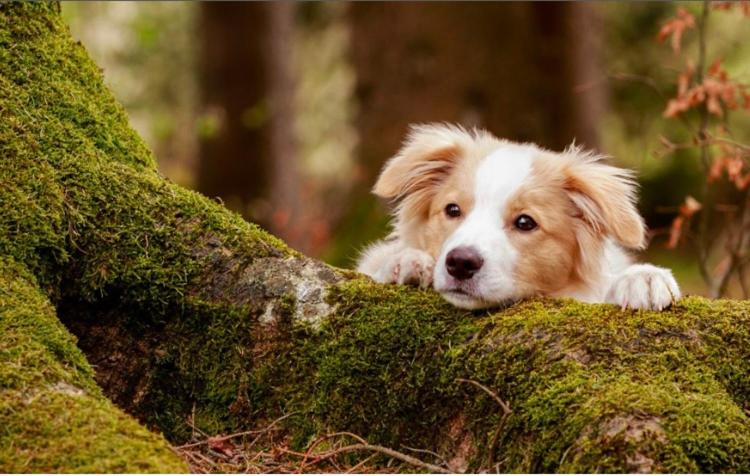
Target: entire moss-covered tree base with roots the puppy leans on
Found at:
184, 310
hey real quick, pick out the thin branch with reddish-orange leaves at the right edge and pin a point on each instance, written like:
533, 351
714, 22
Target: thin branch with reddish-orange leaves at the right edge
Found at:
712, 93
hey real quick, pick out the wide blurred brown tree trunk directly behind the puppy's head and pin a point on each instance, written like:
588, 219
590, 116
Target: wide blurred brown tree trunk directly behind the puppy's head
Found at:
525, 71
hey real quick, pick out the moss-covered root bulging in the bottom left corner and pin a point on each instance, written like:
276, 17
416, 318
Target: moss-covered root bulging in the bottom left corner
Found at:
54, 417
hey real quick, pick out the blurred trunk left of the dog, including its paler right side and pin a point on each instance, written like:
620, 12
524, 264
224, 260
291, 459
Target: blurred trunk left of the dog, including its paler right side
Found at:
249, 152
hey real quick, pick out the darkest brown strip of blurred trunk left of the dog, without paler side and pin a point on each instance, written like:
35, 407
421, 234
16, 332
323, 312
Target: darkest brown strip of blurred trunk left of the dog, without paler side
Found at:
234, 162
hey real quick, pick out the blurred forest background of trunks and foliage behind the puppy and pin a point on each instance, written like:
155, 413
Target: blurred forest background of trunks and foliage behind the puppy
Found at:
287, 111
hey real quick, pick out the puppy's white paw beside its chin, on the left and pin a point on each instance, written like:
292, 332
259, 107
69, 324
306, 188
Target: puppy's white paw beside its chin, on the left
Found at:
394, 262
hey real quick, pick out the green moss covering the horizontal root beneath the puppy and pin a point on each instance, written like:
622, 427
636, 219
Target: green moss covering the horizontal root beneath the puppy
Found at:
592, 388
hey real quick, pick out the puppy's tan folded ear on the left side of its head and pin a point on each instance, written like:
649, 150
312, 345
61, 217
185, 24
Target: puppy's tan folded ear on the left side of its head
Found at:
427, 156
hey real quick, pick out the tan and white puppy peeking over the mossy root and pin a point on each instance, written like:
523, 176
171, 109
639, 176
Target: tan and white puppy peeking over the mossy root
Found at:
487, 221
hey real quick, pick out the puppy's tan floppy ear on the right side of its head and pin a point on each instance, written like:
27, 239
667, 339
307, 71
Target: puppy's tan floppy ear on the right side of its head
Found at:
606, 198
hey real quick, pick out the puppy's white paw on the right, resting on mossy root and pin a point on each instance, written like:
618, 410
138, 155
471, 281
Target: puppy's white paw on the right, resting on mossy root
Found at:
644, 286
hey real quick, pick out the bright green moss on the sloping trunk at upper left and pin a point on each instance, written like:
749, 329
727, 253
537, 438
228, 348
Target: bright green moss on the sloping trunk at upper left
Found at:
84, 186
